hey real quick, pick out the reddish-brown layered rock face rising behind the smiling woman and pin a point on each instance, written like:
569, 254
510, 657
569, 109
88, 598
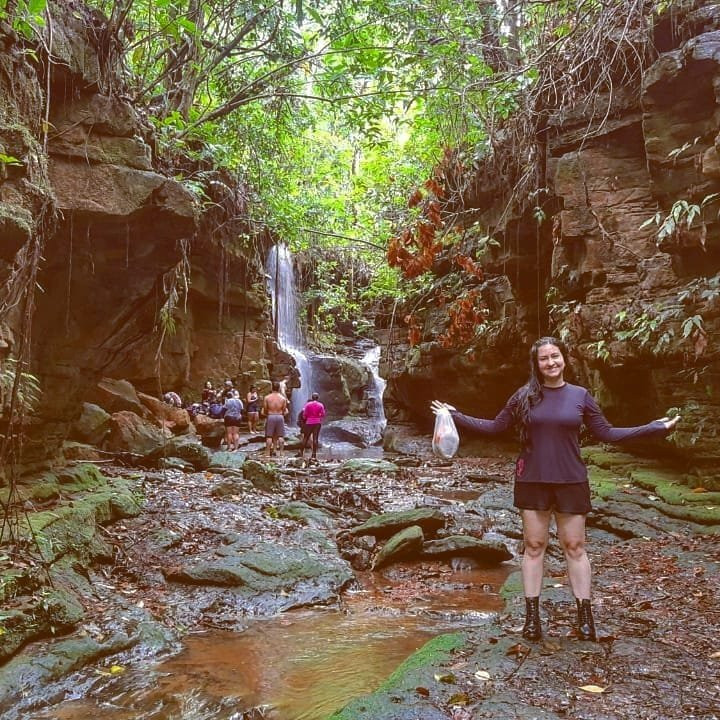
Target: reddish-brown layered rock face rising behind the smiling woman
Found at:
622, 294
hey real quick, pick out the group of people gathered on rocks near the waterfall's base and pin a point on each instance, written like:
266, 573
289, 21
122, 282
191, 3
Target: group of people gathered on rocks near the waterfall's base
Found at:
225, 403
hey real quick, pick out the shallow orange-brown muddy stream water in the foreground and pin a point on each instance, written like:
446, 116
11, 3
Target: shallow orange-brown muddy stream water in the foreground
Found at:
302, 665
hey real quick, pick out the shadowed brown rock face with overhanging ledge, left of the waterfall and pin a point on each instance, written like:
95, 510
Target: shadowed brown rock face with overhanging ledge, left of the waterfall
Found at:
139, 284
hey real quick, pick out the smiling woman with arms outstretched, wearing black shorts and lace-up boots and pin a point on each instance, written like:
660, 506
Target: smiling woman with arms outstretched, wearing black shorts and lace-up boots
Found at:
550, 475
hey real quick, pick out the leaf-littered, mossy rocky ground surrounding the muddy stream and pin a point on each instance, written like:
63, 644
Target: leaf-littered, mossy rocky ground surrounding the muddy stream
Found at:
155, 554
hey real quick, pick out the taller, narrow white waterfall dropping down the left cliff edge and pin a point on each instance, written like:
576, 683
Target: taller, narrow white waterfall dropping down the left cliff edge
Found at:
281, 285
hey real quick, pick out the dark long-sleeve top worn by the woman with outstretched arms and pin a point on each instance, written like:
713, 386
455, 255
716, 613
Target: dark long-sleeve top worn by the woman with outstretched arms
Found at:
553, 452
